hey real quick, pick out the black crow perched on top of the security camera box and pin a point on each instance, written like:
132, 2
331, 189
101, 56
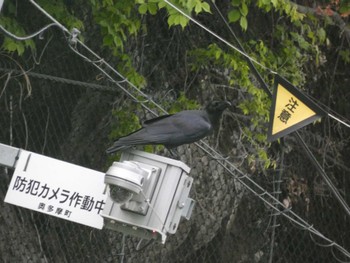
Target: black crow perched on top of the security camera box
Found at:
173, 130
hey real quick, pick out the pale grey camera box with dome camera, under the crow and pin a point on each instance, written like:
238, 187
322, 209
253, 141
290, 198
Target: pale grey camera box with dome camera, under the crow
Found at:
147, 195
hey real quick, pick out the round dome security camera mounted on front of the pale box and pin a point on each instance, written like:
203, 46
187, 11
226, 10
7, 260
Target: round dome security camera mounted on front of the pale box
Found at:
124, 180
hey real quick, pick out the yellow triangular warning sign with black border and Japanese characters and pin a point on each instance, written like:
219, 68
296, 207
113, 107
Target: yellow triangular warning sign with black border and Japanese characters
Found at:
290, 110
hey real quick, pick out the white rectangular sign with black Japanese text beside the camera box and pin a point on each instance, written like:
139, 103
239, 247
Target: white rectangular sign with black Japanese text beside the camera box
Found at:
58, 189
